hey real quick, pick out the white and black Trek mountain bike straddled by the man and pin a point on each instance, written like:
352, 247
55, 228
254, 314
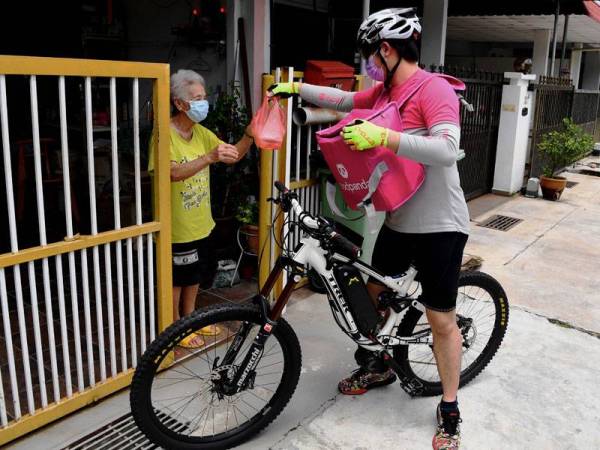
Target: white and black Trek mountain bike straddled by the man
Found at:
222, 394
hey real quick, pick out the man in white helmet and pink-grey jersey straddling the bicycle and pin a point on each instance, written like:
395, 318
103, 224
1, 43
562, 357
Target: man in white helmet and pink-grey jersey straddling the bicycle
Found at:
431, 229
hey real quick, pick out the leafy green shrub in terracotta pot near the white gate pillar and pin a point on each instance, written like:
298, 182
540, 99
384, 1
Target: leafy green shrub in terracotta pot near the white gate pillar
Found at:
559, 149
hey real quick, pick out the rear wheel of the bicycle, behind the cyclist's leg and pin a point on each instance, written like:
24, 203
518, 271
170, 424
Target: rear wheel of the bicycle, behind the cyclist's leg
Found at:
482, 316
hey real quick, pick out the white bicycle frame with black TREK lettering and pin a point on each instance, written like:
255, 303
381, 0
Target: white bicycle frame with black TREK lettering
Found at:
310, 253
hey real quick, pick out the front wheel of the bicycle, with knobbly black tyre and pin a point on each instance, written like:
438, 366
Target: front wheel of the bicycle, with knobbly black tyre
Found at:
186, 406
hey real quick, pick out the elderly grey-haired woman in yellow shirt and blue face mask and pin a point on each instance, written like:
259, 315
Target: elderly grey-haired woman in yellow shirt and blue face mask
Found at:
193, 149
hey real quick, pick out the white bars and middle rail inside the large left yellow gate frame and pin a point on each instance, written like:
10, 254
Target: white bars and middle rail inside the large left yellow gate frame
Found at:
107, 277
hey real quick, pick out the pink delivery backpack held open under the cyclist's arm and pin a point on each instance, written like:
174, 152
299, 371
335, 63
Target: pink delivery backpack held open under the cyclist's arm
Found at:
376, 179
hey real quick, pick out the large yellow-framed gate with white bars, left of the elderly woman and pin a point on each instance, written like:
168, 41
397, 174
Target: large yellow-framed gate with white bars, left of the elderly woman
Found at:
77, 311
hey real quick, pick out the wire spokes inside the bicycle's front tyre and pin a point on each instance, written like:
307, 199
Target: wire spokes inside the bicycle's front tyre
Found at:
205, 410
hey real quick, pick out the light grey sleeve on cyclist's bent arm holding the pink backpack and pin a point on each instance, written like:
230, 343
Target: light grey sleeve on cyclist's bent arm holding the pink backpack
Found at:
440, 148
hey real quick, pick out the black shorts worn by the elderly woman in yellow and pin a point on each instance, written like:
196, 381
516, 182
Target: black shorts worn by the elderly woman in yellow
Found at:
194, 263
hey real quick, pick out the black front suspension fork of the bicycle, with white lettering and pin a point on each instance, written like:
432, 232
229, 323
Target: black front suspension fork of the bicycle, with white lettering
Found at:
254, 354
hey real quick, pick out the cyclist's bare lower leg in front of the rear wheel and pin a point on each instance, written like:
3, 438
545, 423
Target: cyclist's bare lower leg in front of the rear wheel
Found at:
447, 348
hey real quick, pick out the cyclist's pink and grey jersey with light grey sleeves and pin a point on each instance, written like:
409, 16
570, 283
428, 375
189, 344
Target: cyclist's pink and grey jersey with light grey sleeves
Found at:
431, 135
